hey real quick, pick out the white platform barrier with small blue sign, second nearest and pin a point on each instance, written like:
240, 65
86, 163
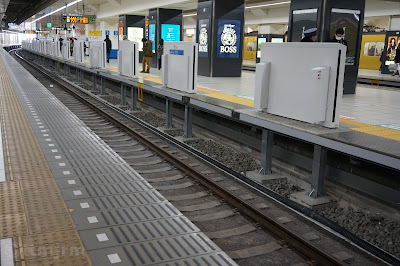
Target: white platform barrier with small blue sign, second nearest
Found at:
179, 66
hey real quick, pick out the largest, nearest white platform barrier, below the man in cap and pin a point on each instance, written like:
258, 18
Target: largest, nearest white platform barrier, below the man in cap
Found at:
301, 81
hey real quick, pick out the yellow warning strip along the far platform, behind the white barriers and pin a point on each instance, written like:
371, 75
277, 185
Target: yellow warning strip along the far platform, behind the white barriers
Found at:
361, 127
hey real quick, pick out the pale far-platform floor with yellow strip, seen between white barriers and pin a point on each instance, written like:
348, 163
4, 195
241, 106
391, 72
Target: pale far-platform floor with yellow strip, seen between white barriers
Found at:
371, 110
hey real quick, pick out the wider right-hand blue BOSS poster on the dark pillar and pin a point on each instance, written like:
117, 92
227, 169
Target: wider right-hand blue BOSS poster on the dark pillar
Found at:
228, 38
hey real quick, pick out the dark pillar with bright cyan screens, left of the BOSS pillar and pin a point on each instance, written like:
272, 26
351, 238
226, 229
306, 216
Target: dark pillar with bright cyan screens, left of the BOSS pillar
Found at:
164, 24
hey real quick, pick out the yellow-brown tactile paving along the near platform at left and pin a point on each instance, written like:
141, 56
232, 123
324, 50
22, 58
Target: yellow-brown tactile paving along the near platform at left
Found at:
32, 210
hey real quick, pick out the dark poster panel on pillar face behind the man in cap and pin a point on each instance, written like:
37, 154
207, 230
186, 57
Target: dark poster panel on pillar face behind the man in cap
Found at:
303, 20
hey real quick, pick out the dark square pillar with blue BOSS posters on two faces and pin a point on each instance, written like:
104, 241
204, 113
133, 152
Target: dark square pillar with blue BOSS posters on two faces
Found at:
220, 34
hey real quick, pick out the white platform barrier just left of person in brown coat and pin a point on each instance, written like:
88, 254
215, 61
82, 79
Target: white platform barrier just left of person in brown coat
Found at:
128, 58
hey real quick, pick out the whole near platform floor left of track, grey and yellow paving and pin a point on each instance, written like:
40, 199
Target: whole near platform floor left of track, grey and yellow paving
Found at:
56, 178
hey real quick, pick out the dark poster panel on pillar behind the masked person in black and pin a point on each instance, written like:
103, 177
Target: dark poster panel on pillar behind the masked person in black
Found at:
349, 21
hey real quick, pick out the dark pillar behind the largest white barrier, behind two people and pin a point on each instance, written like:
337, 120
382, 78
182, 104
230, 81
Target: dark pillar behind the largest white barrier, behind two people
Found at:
329, 16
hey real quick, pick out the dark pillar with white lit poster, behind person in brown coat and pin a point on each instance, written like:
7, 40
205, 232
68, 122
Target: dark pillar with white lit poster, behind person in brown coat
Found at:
133, 27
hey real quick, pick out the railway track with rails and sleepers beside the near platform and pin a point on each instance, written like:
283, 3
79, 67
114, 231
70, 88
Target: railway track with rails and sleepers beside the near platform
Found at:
249, 226
